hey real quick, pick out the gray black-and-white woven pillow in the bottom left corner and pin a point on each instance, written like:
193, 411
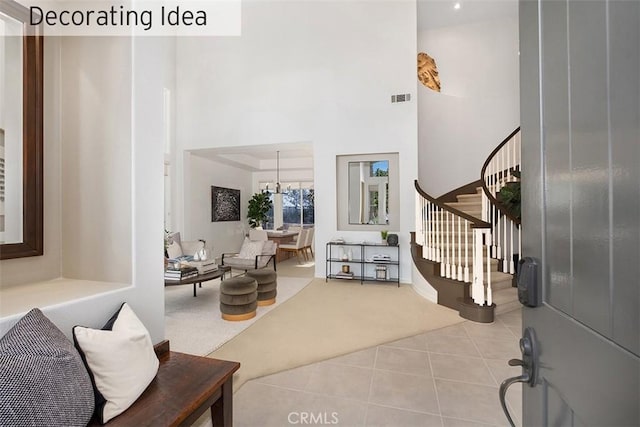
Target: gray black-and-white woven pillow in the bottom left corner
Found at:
43, 381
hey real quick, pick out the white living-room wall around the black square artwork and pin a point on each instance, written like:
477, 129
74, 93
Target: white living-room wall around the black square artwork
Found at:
201, 175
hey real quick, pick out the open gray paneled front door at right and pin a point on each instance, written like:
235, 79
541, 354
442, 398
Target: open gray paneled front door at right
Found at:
580, 96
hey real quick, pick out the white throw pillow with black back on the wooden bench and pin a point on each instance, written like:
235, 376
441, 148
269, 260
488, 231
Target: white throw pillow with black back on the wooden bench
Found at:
121, 360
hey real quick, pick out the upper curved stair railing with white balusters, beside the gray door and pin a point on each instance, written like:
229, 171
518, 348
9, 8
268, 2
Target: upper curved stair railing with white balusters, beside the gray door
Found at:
496, 173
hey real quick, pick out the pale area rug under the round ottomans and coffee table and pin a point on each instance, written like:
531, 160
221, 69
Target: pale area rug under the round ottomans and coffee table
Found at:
194, 326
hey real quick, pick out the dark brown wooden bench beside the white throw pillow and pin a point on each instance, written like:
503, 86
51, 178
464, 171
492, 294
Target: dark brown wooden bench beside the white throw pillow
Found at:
185, 387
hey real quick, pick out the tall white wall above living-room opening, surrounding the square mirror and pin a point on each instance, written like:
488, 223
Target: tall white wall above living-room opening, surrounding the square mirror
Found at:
309, 71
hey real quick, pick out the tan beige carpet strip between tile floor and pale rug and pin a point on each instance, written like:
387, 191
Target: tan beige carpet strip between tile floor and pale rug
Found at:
325, 320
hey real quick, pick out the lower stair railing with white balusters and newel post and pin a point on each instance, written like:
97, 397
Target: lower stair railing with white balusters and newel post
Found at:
456, 240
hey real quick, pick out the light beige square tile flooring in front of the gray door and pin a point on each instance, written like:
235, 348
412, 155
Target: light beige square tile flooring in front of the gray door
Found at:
448, 377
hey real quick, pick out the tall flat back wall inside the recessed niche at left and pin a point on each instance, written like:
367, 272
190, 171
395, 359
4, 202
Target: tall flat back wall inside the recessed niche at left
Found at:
96, 158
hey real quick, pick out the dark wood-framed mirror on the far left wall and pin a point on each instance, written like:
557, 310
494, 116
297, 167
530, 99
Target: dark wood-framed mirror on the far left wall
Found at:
26, 136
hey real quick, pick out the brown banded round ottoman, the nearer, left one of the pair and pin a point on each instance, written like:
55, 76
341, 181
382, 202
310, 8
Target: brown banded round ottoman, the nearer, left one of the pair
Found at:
238, 298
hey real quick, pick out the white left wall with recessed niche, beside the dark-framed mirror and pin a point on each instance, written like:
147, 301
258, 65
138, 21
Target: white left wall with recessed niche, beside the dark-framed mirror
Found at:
106, 94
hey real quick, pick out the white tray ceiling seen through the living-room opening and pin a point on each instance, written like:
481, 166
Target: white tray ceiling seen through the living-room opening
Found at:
262, 157
